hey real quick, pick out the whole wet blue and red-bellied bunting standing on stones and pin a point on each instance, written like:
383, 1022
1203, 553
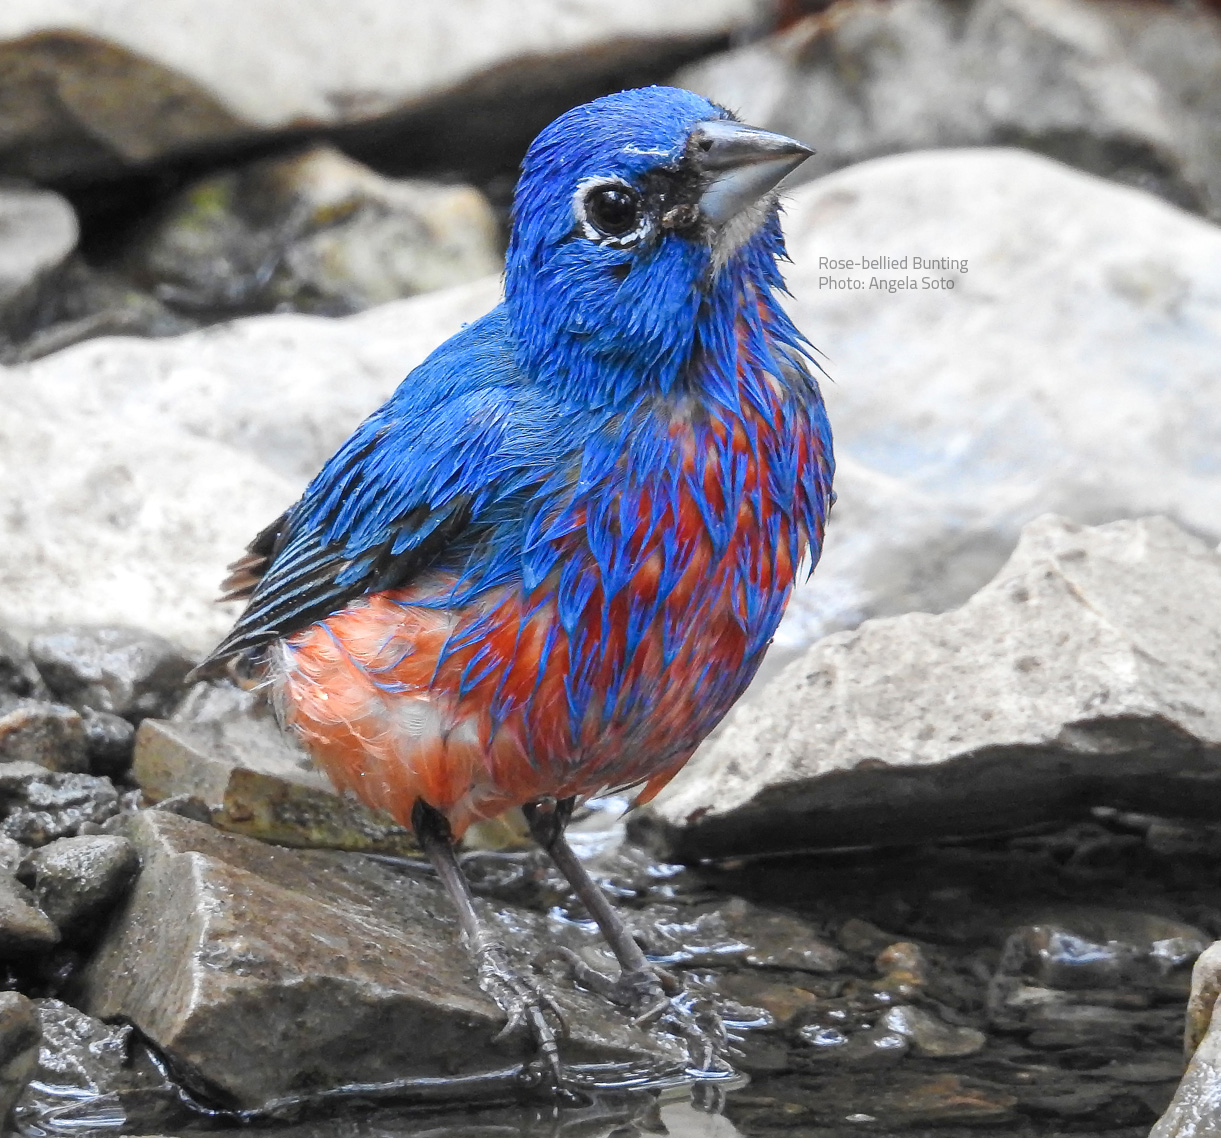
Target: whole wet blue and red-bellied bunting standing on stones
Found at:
553, 561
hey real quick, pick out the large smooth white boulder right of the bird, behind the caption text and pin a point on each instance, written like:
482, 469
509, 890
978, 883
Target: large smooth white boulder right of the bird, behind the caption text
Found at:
1071, 369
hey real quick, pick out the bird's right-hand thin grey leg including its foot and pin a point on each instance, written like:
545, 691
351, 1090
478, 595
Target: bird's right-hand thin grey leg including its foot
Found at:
648, 990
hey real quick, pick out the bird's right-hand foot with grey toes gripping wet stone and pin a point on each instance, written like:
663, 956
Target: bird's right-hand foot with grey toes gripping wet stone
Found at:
654, 996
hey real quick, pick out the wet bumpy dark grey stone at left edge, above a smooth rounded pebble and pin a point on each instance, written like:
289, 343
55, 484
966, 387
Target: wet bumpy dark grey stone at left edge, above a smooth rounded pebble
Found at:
41, 805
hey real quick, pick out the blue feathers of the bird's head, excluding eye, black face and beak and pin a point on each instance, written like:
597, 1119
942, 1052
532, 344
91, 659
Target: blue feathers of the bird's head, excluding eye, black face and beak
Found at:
607, 324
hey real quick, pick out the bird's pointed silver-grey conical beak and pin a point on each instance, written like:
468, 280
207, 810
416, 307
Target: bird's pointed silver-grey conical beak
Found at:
742, 164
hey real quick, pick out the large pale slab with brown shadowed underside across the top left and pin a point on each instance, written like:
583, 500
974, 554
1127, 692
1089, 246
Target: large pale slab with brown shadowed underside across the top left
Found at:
97, 91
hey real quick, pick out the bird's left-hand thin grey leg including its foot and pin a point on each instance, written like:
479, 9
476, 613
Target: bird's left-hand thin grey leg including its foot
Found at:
517, 996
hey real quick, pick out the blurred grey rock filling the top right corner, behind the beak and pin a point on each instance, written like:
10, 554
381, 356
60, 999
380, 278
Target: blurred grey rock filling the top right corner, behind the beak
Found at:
1119, 90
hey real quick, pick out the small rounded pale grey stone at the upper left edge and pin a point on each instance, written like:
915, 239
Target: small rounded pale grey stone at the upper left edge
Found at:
38, 231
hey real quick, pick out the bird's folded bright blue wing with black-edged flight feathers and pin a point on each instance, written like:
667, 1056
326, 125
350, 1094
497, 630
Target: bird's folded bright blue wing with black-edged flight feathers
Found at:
460, 448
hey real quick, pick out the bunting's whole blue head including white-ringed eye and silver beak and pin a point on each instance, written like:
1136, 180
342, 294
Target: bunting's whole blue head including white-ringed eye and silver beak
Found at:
633, 217
